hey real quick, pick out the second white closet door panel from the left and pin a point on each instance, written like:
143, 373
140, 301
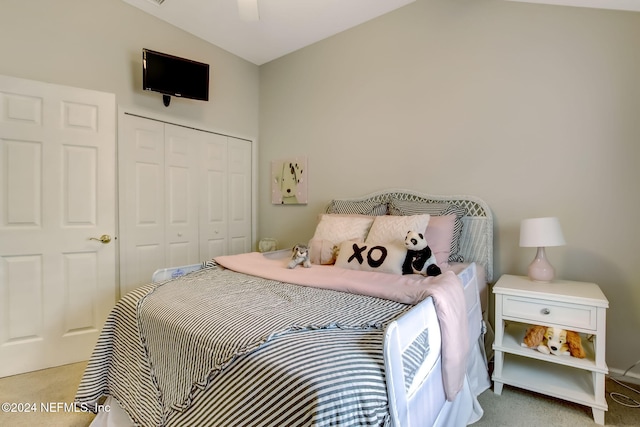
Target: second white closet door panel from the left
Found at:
182, 166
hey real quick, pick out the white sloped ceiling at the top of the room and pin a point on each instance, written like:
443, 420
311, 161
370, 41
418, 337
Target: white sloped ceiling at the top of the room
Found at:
288, 25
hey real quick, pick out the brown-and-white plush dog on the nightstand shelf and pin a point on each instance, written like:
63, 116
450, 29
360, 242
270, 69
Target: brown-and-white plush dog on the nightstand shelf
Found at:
550, 340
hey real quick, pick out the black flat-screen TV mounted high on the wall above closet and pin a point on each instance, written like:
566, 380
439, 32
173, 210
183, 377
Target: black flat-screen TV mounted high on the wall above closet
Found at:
174, 76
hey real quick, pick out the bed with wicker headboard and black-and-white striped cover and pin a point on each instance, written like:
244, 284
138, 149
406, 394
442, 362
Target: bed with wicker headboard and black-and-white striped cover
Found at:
244, 341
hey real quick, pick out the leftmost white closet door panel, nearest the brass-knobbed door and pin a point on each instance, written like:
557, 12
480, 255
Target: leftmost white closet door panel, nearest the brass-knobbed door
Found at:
141, 152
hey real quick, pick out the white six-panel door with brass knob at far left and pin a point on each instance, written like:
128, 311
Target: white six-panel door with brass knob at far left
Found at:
57, 190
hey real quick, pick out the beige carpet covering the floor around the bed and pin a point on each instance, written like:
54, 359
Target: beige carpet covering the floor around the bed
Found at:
56, 387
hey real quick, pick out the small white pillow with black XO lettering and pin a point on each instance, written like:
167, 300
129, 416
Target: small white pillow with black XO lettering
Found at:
384, 258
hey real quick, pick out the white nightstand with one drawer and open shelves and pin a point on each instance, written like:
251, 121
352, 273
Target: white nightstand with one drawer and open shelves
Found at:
575, 306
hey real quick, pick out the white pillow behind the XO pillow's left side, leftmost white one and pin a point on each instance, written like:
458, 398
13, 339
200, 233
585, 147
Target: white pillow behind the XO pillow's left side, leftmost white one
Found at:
337, 228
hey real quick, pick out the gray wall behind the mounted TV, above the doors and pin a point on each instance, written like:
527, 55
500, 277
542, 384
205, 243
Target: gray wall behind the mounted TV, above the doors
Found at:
97, 44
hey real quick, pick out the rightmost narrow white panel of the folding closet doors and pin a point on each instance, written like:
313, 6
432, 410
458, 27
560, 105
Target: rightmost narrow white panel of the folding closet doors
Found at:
239, 175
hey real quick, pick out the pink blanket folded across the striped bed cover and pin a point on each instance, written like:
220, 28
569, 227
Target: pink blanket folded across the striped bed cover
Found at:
446, 290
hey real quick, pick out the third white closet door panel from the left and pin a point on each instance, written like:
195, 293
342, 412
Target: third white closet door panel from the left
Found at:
213, 204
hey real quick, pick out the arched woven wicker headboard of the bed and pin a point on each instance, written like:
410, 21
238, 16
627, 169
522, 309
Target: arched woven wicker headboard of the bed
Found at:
476, 238
